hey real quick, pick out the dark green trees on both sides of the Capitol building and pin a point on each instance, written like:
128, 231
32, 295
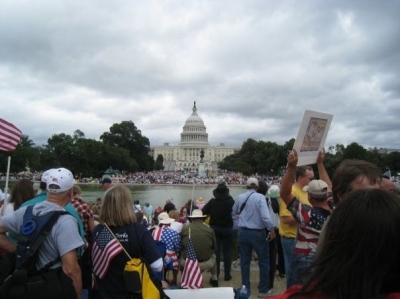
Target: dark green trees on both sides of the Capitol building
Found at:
126, 149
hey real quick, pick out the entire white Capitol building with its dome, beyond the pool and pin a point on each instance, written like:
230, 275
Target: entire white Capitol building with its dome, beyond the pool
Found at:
185, 156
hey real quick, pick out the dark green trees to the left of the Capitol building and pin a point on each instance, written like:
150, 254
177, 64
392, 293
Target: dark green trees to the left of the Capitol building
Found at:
123, 148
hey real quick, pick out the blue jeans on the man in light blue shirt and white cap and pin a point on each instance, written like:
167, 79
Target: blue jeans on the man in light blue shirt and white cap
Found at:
250, 239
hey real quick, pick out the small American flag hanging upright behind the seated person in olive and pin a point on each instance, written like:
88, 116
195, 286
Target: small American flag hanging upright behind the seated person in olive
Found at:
191, 276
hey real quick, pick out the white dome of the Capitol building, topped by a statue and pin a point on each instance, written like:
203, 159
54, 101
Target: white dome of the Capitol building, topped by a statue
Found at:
194, 130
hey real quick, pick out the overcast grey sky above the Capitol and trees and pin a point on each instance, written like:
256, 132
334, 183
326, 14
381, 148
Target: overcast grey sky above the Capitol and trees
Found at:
253, 67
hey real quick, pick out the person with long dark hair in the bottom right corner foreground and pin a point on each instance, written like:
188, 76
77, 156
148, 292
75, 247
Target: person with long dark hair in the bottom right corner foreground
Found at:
360, 252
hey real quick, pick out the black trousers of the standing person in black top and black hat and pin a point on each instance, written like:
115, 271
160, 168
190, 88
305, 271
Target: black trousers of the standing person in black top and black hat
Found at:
224, 236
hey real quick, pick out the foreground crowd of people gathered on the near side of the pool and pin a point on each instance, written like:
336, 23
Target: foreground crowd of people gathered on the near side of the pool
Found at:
330, 238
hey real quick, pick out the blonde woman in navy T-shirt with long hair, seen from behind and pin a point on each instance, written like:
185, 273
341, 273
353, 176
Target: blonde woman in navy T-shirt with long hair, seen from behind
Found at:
118, 221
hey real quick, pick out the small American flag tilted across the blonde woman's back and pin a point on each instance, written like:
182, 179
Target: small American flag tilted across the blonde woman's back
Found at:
105, 248
